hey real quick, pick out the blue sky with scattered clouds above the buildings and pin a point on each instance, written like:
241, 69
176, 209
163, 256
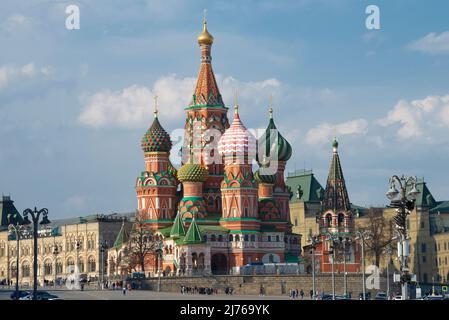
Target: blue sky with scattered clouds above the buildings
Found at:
74, 104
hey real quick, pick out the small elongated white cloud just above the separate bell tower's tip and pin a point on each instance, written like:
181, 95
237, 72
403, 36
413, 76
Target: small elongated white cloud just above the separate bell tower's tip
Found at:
324, 132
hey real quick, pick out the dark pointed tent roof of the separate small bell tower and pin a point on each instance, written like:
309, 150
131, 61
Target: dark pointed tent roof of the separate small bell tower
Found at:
335, 195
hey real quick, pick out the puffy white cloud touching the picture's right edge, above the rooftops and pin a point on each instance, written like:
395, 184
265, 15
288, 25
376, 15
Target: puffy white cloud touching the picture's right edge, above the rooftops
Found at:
418, 118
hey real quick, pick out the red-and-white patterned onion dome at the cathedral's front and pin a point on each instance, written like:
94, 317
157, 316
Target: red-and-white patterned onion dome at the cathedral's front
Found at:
237, 140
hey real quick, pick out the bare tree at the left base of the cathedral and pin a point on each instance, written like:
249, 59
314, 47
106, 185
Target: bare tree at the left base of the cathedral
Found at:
142, 242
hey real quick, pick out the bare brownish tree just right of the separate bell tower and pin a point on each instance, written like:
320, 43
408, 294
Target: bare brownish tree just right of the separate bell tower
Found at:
380, 234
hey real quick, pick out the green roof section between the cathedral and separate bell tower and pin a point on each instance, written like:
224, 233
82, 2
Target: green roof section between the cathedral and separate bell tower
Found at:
310, 190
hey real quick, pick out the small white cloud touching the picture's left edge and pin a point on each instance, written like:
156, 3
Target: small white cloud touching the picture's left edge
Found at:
10, 73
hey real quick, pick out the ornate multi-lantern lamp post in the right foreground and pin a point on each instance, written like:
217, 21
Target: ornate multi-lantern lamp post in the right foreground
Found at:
404, 206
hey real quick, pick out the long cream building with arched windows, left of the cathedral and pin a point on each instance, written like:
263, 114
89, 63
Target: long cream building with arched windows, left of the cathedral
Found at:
61, 246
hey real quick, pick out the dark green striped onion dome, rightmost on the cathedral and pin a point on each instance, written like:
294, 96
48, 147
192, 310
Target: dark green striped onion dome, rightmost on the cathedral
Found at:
281, 149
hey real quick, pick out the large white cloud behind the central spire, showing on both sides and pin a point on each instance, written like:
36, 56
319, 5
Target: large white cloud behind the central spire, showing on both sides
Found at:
133, 106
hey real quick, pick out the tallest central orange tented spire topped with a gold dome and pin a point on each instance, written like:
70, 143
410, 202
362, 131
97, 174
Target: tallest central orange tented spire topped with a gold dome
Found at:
206, 91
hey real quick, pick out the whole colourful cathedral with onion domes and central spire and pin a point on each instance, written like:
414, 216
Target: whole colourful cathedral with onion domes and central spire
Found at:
214, 214
